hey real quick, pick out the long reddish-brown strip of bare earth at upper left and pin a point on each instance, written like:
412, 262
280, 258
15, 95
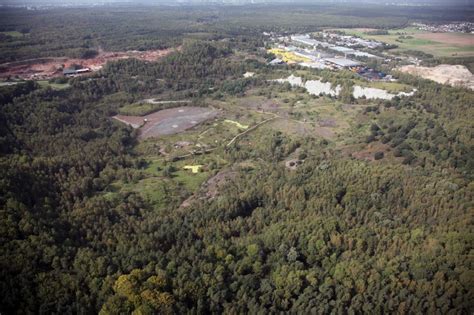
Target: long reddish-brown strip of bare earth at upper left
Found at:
46, 68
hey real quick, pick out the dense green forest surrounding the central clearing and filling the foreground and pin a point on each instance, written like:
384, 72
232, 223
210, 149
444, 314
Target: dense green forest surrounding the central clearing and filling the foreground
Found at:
337, 235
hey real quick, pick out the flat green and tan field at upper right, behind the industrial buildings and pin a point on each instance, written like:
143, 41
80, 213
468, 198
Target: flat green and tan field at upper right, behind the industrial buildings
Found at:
451, 45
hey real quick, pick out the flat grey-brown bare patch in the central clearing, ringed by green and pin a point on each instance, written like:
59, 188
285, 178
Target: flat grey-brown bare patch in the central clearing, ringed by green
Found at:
168, 121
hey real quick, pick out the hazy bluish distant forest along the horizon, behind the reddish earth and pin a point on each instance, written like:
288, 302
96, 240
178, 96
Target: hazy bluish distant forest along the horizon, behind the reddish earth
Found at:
78, 32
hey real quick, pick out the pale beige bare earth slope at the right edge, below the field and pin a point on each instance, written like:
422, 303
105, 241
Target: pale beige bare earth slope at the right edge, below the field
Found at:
445, 74
